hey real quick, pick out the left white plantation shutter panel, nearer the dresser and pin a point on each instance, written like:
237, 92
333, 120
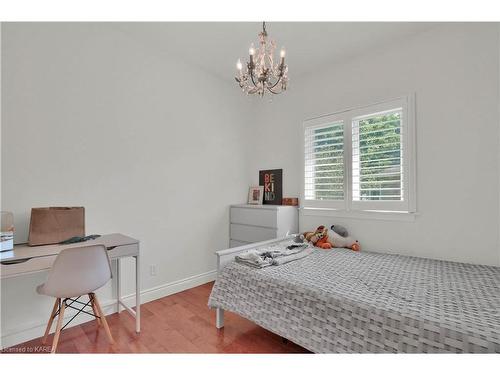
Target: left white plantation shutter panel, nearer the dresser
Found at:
324, 164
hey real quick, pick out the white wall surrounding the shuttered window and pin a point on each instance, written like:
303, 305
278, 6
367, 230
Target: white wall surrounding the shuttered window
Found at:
453, 70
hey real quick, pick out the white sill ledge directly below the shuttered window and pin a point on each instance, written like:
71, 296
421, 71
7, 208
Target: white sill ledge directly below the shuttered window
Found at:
366, 215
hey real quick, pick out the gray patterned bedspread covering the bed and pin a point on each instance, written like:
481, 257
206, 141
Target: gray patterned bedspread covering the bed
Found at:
342, 301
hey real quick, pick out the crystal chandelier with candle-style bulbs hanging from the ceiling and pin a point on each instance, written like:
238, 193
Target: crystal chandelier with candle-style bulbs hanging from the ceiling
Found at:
262, 73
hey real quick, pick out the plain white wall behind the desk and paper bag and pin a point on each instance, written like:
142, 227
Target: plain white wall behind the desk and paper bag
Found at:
152, 148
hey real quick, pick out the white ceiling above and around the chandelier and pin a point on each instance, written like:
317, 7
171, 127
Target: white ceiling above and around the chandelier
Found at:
216, 46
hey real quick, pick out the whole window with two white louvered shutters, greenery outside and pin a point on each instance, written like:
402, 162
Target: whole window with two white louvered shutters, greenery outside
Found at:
361, 159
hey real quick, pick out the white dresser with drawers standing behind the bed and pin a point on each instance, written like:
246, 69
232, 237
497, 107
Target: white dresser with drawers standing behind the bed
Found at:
253, 223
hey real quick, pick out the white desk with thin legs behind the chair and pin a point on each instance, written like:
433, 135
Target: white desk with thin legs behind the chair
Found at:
25, 260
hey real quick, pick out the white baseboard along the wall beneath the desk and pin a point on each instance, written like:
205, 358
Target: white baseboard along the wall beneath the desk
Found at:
36, 329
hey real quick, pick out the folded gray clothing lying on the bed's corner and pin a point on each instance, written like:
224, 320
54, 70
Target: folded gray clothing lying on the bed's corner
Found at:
274, 255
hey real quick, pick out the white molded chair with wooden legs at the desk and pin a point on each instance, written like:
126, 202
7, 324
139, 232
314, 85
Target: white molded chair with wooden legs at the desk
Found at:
76, 272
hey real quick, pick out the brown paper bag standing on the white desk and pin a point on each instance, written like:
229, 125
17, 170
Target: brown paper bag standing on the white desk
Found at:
50, 225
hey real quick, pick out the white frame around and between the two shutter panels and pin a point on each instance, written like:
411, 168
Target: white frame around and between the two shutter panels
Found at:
408, 204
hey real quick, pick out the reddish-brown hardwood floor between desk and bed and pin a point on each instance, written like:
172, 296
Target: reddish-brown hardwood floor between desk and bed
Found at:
180, 323
